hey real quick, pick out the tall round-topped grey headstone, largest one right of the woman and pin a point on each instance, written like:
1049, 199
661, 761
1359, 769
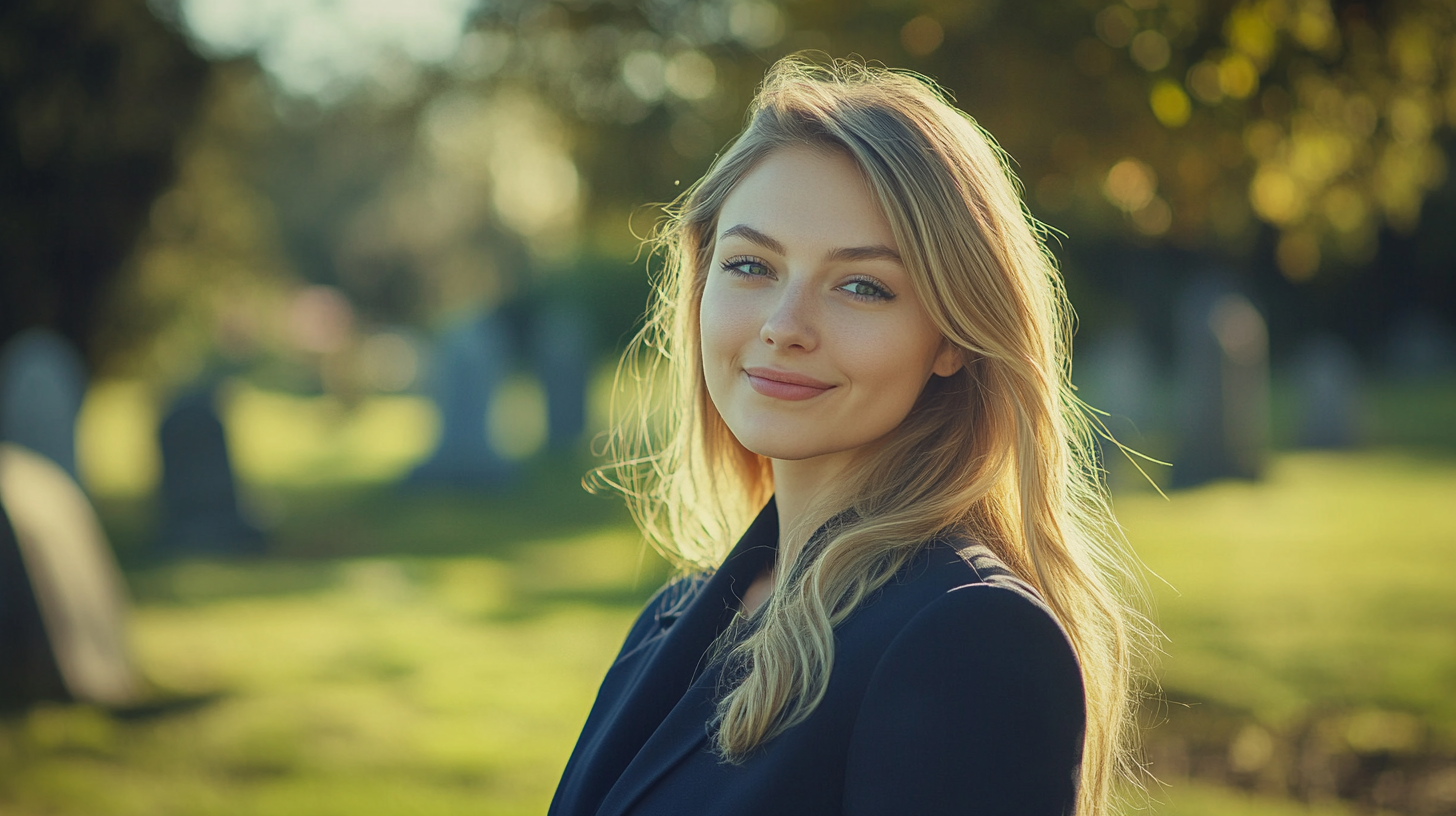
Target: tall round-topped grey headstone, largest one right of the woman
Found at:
1222, 384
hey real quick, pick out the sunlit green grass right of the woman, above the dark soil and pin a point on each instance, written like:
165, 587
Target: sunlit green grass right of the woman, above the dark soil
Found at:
1326, 586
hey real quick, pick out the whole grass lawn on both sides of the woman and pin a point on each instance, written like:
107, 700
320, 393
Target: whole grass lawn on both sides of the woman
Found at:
416, 654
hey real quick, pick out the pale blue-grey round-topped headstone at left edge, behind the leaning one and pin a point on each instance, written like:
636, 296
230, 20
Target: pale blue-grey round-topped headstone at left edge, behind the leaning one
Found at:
43, 382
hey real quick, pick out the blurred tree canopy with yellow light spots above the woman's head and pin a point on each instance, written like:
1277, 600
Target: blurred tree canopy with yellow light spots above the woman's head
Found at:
1182, 120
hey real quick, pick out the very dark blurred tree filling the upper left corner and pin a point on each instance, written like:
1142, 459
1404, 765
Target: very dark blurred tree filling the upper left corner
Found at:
94, 97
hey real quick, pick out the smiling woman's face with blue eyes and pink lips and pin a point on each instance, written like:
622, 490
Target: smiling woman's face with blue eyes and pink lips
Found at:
815, 342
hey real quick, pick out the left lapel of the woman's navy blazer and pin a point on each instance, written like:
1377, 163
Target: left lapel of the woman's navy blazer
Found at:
663, 715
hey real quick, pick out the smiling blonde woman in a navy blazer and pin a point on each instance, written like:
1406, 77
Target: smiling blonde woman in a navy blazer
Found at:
864, 342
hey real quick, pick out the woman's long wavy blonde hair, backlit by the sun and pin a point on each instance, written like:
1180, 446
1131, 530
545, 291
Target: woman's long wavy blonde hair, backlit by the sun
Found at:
1001, 452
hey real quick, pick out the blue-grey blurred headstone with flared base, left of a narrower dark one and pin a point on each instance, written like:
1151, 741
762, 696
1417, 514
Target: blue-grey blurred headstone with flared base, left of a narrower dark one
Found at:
470, 366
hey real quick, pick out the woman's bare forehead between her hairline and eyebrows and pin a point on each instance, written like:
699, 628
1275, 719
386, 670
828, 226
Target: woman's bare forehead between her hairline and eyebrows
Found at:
809, 197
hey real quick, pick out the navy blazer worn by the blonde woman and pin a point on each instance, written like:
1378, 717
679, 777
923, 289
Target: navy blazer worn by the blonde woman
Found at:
953, 691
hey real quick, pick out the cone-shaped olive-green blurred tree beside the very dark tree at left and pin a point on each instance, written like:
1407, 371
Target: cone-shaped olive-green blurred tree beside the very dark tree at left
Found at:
209, 267
